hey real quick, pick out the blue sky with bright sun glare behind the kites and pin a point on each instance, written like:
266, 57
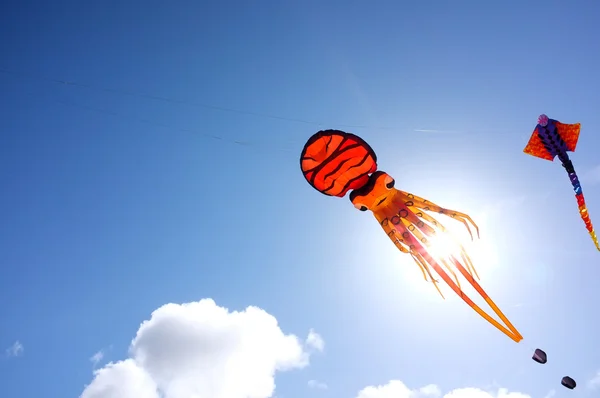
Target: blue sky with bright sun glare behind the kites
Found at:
117, 204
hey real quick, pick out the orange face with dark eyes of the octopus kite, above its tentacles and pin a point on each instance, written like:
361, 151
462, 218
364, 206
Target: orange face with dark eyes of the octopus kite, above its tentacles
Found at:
376, 194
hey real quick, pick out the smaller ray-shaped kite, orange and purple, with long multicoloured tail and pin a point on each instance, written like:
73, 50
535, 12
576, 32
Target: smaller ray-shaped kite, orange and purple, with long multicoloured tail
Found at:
552, 138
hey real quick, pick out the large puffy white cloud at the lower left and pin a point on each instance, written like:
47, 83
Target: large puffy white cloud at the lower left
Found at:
199, 349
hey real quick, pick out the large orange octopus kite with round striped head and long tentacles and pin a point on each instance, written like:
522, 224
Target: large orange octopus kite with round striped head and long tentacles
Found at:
334, 162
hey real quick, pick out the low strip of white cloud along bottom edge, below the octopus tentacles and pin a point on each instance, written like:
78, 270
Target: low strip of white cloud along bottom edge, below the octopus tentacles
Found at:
397, 389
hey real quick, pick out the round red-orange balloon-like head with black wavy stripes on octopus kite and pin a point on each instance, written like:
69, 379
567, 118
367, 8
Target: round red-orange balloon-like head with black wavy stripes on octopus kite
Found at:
334, 162
